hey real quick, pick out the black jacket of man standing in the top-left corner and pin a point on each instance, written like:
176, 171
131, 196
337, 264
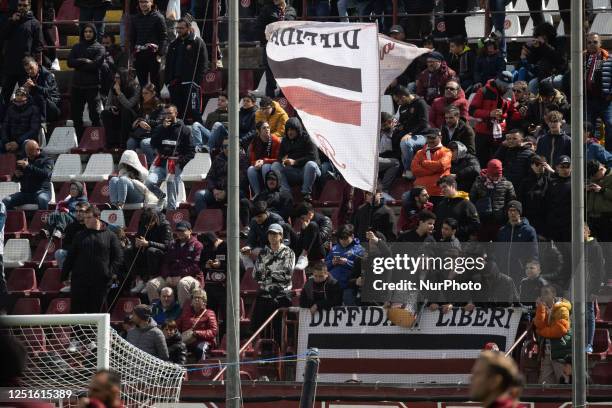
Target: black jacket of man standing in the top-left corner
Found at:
21, 38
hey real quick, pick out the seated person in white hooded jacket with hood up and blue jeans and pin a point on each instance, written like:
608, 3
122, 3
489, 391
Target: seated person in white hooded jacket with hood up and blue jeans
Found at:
128, 187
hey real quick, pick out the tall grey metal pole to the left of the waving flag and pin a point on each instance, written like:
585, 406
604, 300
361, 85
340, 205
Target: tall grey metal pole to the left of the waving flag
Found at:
233, 394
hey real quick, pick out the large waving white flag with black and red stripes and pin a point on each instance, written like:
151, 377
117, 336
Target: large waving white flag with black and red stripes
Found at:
329, 72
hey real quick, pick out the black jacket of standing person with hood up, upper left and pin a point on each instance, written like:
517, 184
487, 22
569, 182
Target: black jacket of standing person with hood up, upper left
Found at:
87, 58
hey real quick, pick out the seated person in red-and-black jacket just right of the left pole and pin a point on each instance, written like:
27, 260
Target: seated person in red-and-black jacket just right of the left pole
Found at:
263, 151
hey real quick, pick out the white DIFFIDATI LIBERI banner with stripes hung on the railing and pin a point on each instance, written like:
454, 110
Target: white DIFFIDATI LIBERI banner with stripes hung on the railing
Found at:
359, 343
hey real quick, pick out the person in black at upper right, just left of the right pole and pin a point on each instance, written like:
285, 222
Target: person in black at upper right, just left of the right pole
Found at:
541, 53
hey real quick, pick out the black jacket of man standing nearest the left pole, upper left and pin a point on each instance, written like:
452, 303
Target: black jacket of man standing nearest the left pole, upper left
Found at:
182, 57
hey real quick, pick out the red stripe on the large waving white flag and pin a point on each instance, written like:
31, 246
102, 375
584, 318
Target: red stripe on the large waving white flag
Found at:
325, 106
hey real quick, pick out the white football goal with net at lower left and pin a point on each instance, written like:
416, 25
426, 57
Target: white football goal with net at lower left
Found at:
65, 351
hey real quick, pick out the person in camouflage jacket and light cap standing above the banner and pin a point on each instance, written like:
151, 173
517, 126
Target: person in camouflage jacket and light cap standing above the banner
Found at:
272, 272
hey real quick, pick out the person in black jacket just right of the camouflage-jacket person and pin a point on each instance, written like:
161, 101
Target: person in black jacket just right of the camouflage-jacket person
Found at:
315, 233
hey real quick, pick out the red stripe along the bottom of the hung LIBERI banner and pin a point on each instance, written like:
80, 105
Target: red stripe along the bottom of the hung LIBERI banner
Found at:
395, 366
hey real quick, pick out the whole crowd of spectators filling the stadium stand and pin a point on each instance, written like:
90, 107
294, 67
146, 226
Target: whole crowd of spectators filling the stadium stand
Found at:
474, 152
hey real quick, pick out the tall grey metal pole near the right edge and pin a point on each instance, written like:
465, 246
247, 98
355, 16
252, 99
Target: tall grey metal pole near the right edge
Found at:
578, 268
